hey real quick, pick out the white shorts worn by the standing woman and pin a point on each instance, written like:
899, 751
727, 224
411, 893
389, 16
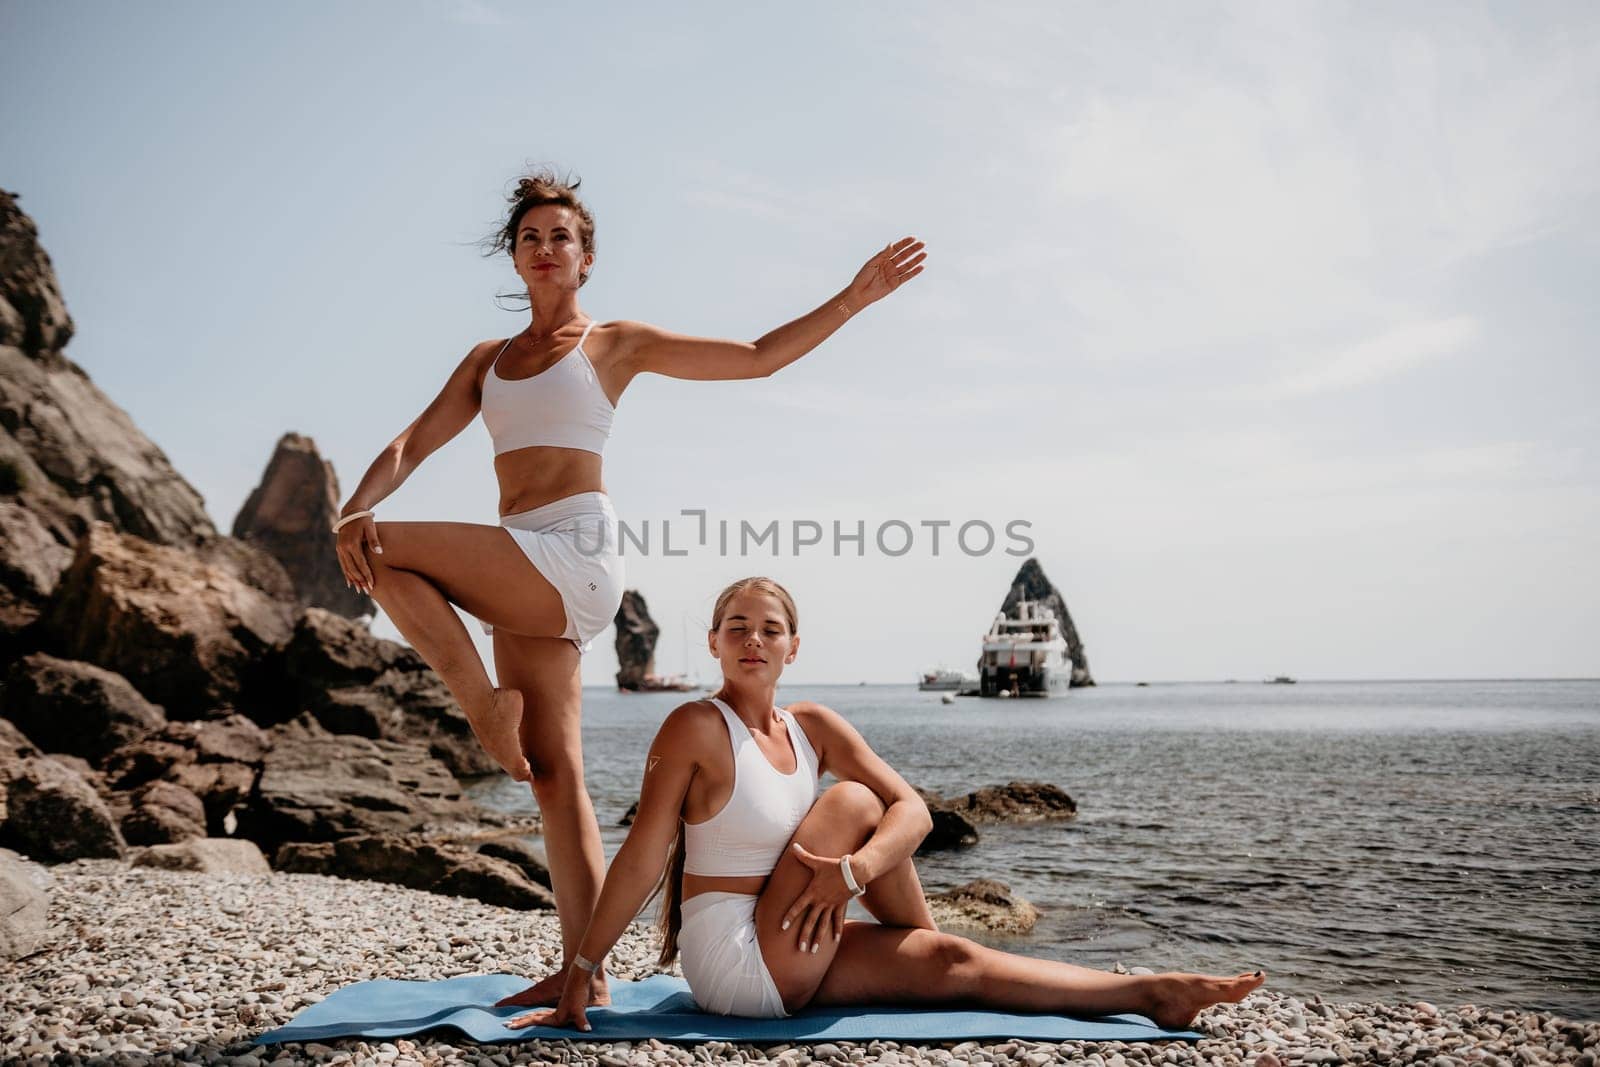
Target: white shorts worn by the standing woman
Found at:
574, 543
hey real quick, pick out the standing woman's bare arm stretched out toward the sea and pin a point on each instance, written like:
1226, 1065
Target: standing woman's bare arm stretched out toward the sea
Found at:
649, 348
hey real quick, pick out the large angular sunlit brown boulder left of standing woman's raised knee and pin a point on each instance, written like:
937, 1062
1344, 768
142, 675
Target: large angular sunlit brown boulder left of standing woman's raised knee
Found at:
190, 636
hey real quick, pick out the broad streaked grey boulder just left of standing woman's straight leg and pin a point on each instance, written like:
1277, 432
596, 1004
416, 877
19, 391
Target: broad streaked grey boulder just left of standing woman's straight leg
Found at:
318, 788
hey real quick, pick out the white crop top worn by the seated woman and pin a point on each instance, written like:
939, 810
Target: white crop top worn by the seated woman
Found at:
751, 833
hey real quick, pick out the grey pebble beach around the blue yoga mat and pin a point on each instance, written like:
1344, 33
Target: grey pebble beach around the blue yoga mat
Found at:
158, 967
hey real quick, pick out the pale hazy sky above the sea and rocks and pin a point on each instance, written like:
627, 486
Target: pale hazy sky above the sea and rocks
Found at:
1271, 321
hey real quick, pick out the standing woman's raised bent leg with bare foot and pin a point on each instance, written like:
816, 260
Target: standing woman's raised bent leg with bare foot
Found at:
423, 570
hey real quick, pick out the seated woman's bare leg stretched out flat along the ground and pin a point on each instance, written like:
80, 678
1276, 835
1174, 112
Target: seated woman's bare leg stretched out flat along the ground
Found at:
887, 965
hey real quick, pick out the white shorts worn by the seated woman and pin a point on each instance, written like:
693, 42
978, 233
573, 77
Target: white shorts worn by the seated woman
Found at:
722, 957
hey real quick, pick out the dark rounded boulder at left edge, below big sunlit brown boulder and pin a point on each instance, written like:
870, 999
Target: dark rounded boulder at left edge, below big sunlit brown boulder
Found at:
78, 708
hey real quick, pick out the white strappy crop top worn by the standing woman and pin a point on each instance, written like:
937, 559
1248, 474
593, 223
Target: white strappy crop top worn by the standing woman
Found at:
562, 406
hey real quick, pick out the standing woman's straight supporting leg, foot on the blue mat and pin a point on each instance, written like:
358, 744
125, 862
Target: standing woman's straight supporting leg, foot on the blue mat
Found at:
546, 673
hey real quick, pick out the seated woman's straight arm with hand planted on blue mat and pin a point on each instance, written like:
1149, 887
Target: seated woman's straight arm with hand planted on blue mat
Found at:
638, 866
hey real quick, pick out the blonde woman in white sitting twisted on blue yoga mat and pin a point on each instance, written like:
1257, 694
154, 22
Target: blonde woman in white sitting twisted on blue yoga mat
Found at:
758, 869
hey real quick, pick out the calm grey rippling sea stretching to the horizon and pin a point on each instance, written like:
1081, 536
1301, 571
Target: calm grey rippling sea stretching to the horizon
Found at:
1418, 841
